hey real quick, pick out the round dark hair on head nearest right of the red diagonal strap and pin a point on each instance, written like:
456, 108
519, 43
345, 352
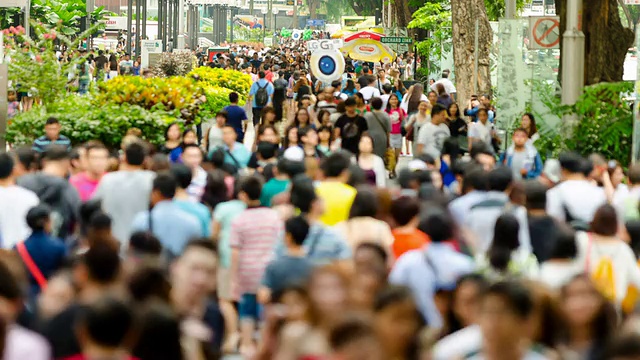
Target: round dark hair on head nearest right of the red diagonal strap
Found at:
102, 262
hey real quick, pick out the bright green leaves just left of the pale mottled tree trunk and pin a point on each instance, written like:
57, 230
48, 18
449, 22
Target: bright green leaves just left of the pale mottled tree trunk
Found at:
436, 19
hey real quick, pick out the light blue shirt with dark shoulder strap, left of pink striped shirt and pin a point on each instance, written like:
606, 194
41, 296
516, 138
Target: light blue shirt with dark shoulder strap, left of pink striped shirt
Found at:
171, 225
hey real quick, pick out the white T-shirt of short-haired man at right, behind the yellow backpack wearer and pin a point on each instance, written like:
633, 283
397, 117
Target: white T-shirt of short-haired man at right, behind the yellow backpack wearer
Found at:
580, 197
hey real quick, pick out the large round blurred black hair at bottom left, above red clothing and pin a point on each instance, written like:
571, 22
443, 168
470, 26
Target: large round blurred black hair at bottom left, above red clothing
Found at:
107, 322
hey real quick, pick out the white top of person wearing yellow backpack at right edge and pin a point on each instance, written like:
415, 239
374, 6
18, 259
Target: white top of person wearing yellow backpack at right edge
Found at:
625, 267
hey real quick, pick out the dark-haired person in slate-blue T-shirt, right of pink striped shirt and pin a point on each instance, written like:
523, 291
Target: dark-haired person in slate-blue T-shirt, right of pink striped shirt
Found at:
292, 269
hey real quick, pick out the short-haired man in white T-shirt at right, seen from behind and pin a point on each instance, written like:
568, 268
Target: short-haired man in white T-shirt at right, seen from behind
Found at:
575, 199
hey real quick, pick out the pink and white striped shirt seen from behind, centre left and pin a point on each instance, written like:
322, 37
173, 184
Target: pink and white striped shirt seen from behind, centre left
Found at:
255, 233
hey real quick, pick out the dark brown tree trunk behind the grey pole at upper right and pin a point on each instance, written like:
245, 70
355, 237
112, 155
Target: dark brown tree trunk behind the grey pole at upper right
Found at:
606, 40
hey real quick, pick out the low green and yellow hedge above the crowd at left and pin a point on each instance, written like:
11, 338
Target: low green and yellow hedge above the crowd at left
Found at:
82, 121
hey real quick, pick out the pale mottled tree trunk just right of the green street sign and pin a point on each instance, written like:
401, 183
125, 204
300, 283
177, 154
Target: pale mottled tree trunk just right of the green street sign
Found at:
463, 16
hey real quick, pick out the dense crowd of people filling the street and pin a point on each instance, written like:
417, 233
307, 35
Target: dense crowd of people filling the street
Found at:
319, 238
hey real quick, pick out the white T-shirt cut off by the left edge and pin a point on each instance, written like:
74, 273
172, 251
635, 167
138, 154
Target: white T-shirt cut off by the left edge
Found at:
15, 202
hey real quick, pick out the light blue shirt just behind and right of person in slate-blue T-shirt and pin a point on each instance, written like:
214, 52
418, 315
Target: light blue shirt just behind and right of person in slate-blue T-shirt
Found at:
322, 245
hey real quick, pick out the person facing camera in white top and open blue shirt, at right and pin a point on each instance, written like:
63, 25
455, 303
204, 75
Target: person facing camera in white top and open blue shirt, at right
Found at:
521, 157
